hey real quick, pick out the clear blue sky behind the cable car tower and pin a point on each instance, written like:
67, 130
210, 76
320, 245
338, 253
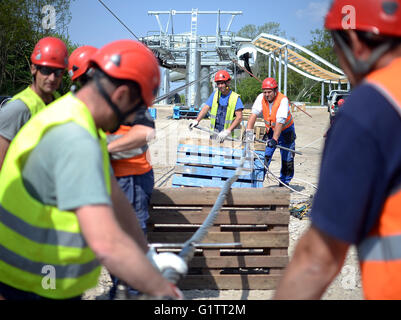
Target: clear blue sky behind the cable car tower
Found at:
92, 24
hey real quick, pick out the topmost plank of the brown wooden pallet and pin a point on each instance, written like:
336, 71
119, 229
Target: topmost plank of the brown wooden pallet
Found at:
207, 196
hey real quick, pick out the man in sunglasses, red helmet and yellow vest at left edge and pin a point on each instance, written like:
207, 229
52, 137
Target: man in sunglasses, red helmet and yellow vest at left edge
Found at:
49, 60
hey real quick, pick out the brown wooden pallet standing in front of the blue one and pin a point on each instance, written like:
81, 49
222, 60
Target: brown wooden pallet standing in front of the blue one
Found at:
257, 218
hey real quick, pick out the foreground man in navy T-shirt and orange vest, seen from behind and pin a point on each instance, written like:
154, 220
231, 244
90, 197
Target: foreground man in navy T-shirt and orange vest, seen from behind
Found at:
359, 195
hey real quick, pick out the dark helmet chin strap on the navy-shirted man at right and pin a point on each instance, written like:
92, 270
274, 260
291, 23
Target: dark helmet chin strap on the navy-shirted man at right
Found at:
361, 67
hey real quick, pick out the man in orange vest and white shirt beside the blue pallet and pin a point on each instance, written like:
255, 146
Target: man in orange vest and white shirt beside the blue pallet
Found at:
275, 108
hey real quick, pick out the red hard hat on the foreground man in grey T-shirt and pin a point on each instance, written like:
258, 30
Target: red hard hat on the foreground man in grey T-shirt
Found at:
133, 61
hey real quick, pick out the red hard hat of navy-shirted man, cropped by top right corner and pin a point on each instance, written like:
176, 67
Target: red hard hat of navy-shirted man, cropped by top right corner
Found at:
382, 17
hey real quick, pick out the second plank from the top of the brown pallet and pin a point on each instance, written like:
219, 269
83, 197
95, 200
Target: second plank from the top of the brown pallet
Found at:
224, 217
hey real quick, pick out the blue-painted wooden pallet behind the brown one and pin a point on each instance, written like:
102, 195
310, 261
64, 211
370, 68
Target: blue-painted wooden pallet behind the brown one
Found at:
211, 166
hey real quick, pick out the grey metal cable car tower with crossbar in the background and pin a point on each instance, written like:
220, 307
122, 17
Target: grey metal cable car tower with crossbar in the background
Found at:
191, 56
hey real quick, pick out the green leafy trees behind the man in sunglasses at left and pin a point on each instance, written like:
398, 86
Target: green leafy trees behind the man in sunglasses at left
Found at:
21, 27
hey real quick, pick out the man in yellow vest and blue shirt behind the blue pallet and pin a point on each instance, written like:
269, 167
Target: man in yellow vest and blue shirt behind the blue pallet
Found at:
225, 108
